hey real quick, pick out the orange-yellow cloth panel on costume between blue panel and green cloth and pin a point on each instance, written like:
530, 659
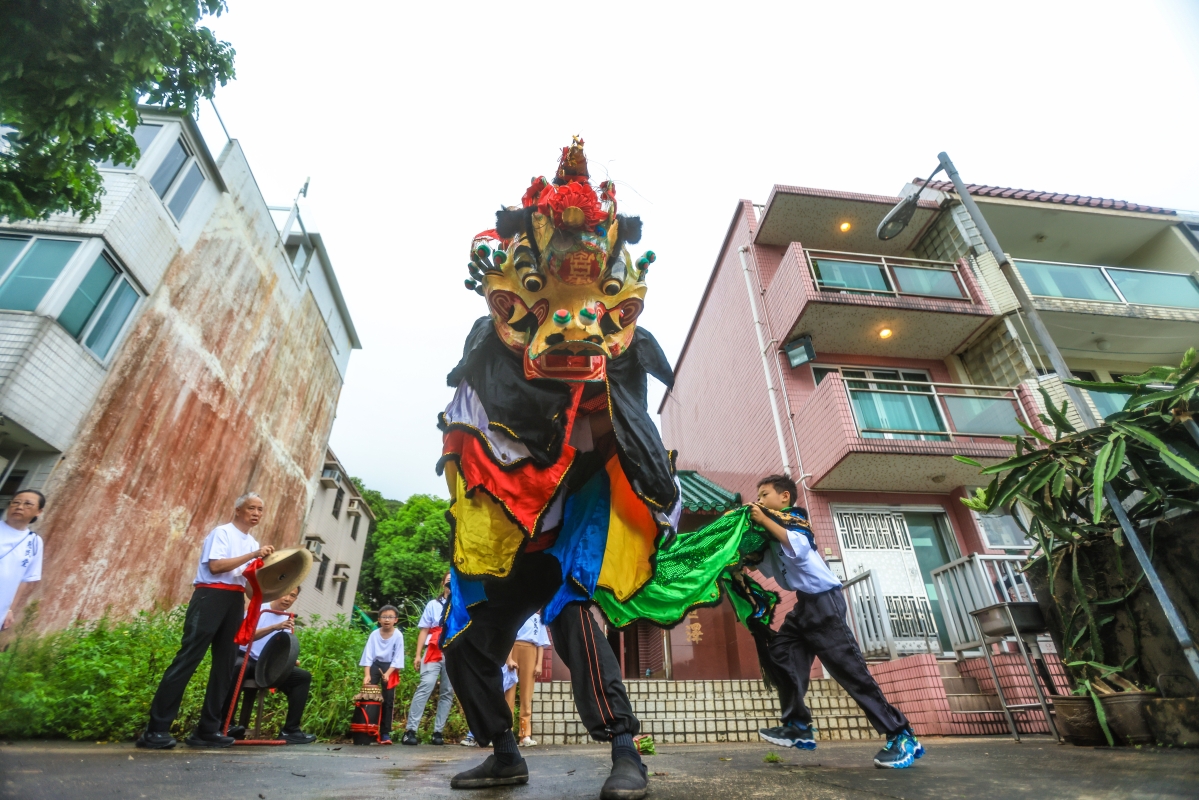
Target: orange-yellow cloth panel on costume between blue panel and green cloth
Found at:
631, 534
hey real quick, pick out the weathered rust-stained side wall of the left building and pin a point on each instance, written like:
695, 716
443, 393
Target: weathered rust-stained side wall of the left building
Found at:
226, 384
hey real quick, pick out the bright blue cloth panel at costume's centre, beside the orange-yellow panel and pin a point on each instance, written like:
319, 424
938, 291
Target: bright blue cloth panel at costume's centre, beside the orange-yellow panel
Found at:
581, 544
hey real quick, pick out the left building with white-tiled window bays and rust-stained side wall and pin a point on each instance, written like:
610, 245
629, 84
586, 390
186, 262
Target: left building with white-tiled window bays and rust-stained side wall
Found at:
186, 346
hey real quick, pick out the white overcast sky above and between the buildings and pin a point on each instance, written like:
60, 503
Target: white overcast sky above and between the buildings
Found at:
418, 121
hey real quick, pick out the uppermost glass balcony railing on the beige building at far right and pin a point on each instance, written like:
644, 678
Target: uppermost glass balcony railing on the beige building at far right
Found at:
1110, 285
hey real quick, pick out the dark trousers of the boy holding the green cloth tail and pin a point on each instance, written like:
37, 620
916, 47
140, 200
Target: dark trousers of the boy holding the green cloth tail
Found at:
817, 628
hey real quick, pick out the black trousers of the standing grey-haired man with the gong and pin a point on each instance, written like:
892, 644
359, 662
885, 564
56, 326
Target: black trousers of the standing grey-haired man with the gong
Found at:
214, 617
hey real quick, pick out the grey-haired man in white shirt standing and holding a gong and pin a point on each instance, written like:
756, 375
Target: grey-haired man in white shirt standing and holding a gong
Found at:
214, 617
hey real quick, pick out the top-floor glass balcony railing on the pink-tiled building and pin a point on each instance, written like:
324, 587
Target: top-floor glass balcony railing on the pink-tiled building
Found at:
877, 275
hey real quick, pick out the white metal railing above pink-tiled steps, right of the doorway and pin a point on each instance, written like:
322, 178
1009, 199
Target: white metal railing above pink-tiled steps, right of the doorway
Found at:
978, 582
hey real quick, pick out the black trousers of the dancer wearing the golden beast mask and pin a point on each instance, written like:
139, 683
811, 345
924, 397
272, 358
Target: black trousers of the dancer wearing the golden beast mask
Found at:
475, 657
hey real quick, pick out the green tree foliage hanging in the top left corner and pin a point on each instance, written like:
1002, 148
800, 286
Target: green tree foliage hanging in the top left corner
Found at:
71, 76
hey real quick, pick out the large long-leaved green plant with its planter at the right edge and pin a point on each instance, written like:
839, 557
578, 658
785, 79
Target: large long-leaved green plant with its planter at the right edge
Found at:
1105, 619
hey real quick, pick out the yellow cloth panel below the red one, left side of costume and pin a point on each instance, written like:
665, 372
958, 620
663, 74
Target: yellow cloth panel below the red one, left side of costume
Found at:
485, 542
